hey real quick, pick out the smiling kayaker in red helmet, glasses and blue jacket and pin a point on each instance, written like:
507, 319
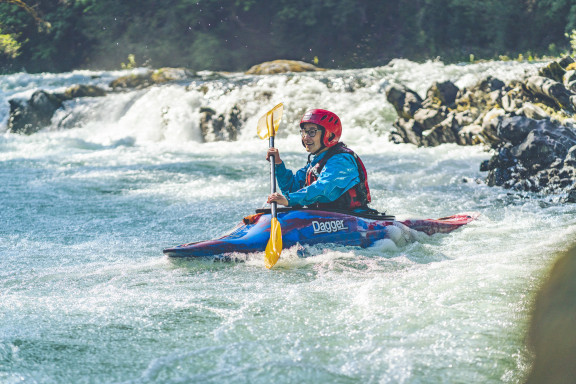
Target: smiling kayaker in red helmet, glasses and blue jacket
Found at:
334, 176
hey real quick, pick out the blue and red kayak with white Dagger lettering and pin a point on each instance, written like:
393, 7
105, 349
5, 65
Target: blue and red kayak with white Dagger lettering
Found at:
304, 226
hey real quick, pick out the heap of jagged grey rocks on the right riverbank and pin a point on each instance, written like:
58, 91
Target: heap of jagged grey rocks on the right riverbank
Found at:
527, 124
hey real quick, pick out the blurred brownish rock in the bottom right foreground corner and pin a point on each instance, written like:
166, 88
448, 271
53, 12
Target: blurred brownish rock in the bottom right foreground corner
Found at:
552, 335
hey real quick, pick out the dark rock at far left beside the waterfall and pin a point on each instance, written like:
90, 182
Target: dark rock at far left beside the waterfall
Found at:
28, 117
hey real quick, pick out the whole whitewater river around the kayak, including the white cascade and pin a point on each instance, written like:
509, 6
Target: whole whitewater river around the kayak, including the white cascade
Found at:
88, 204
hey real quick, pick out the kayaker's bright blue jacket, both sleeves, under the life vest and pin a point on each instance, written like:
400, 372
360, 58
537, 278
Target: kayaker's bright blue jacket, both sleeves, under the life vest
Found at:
338, 175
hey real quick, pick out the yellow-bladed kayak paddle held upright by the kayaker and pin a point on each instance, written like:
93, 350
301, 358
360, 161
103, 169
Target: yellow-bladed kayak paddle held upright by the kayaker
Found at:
267, 128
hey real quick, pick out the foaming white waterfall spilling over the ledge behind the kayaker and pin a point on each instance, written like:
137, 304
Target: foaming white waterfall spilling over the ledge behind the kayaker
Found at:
212, 107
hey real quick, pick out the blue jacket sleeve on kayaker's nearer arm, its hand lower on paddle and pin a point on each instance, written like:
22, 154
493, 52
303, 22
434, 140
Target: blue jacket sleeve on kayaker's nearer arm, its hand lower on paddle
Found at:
338, 175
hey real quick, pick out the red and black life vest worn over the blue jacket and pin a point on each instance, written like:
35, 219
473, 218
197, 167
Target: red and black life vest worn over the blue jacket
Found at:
357, 196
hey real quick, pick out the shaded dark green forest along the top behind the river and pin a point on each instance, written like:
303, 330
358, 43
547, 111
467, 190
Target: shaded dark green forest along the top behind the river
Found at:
61, 35
